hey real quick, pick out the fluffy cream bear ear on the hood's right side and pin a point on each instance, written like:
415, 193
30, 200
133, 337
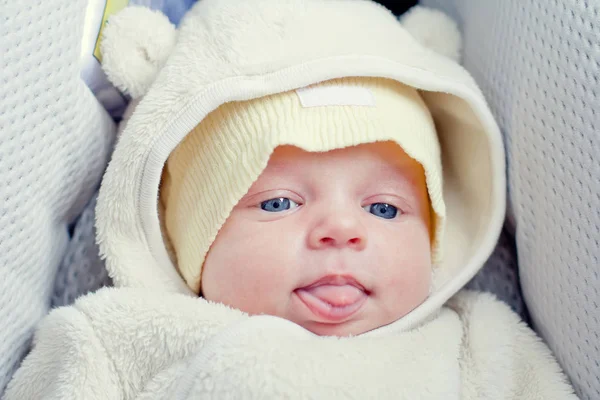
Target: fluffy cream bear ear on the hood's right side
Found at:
434, 30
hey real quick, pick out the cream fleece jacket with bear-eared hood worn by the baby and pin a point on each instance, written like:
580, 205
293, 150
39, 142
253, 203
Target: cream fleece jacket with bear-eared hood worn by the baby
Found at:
151, 338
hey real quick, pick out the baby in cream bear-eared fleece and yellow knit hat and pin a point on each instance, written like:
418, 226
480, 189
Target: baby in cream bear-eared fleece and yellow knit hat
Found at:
292, 211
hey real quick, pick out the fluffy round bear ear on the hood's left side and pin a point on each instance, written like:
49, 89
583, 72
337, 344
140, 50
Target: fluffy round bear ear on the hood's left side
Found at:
136, 43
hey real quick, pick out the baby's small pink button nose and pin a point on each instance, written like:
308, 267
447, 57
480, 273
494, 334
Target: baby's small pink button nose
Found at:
338, 231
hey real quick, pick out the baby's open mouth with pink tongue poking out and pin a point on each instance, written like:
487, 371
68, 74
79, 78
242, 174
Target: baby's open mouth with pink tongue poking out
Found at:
333, 299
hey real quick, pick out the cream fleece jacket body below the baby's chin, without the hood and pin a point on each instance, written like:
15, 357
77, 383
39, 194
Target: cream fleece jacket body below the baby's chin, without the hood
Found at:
107, 347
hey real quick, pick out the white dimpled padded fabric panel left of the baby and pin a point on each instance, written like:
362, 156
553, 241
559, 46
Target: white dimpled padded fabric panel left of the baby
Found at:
54, 143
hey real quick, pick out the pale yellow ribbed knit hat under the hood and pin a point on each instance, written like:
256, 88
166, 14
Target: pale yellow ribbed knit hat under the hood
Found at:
215, 165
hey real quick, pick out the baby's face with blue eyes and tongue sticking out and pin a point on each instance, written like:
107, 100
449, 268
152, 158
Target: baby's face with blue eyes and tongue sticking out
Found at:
336, 242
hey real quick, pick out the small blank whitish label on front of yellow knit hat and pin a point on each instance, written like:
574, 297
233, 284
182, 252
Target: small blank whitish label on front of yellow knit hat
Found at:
336, 95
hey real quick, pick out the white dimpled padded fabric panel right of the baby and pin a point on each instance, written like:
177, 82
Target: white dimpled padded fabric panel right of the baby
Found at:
539, 64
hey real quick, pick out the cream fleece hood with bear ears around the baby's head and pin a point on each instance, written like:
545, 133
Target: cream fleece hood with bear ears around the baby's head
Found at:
228, 50
